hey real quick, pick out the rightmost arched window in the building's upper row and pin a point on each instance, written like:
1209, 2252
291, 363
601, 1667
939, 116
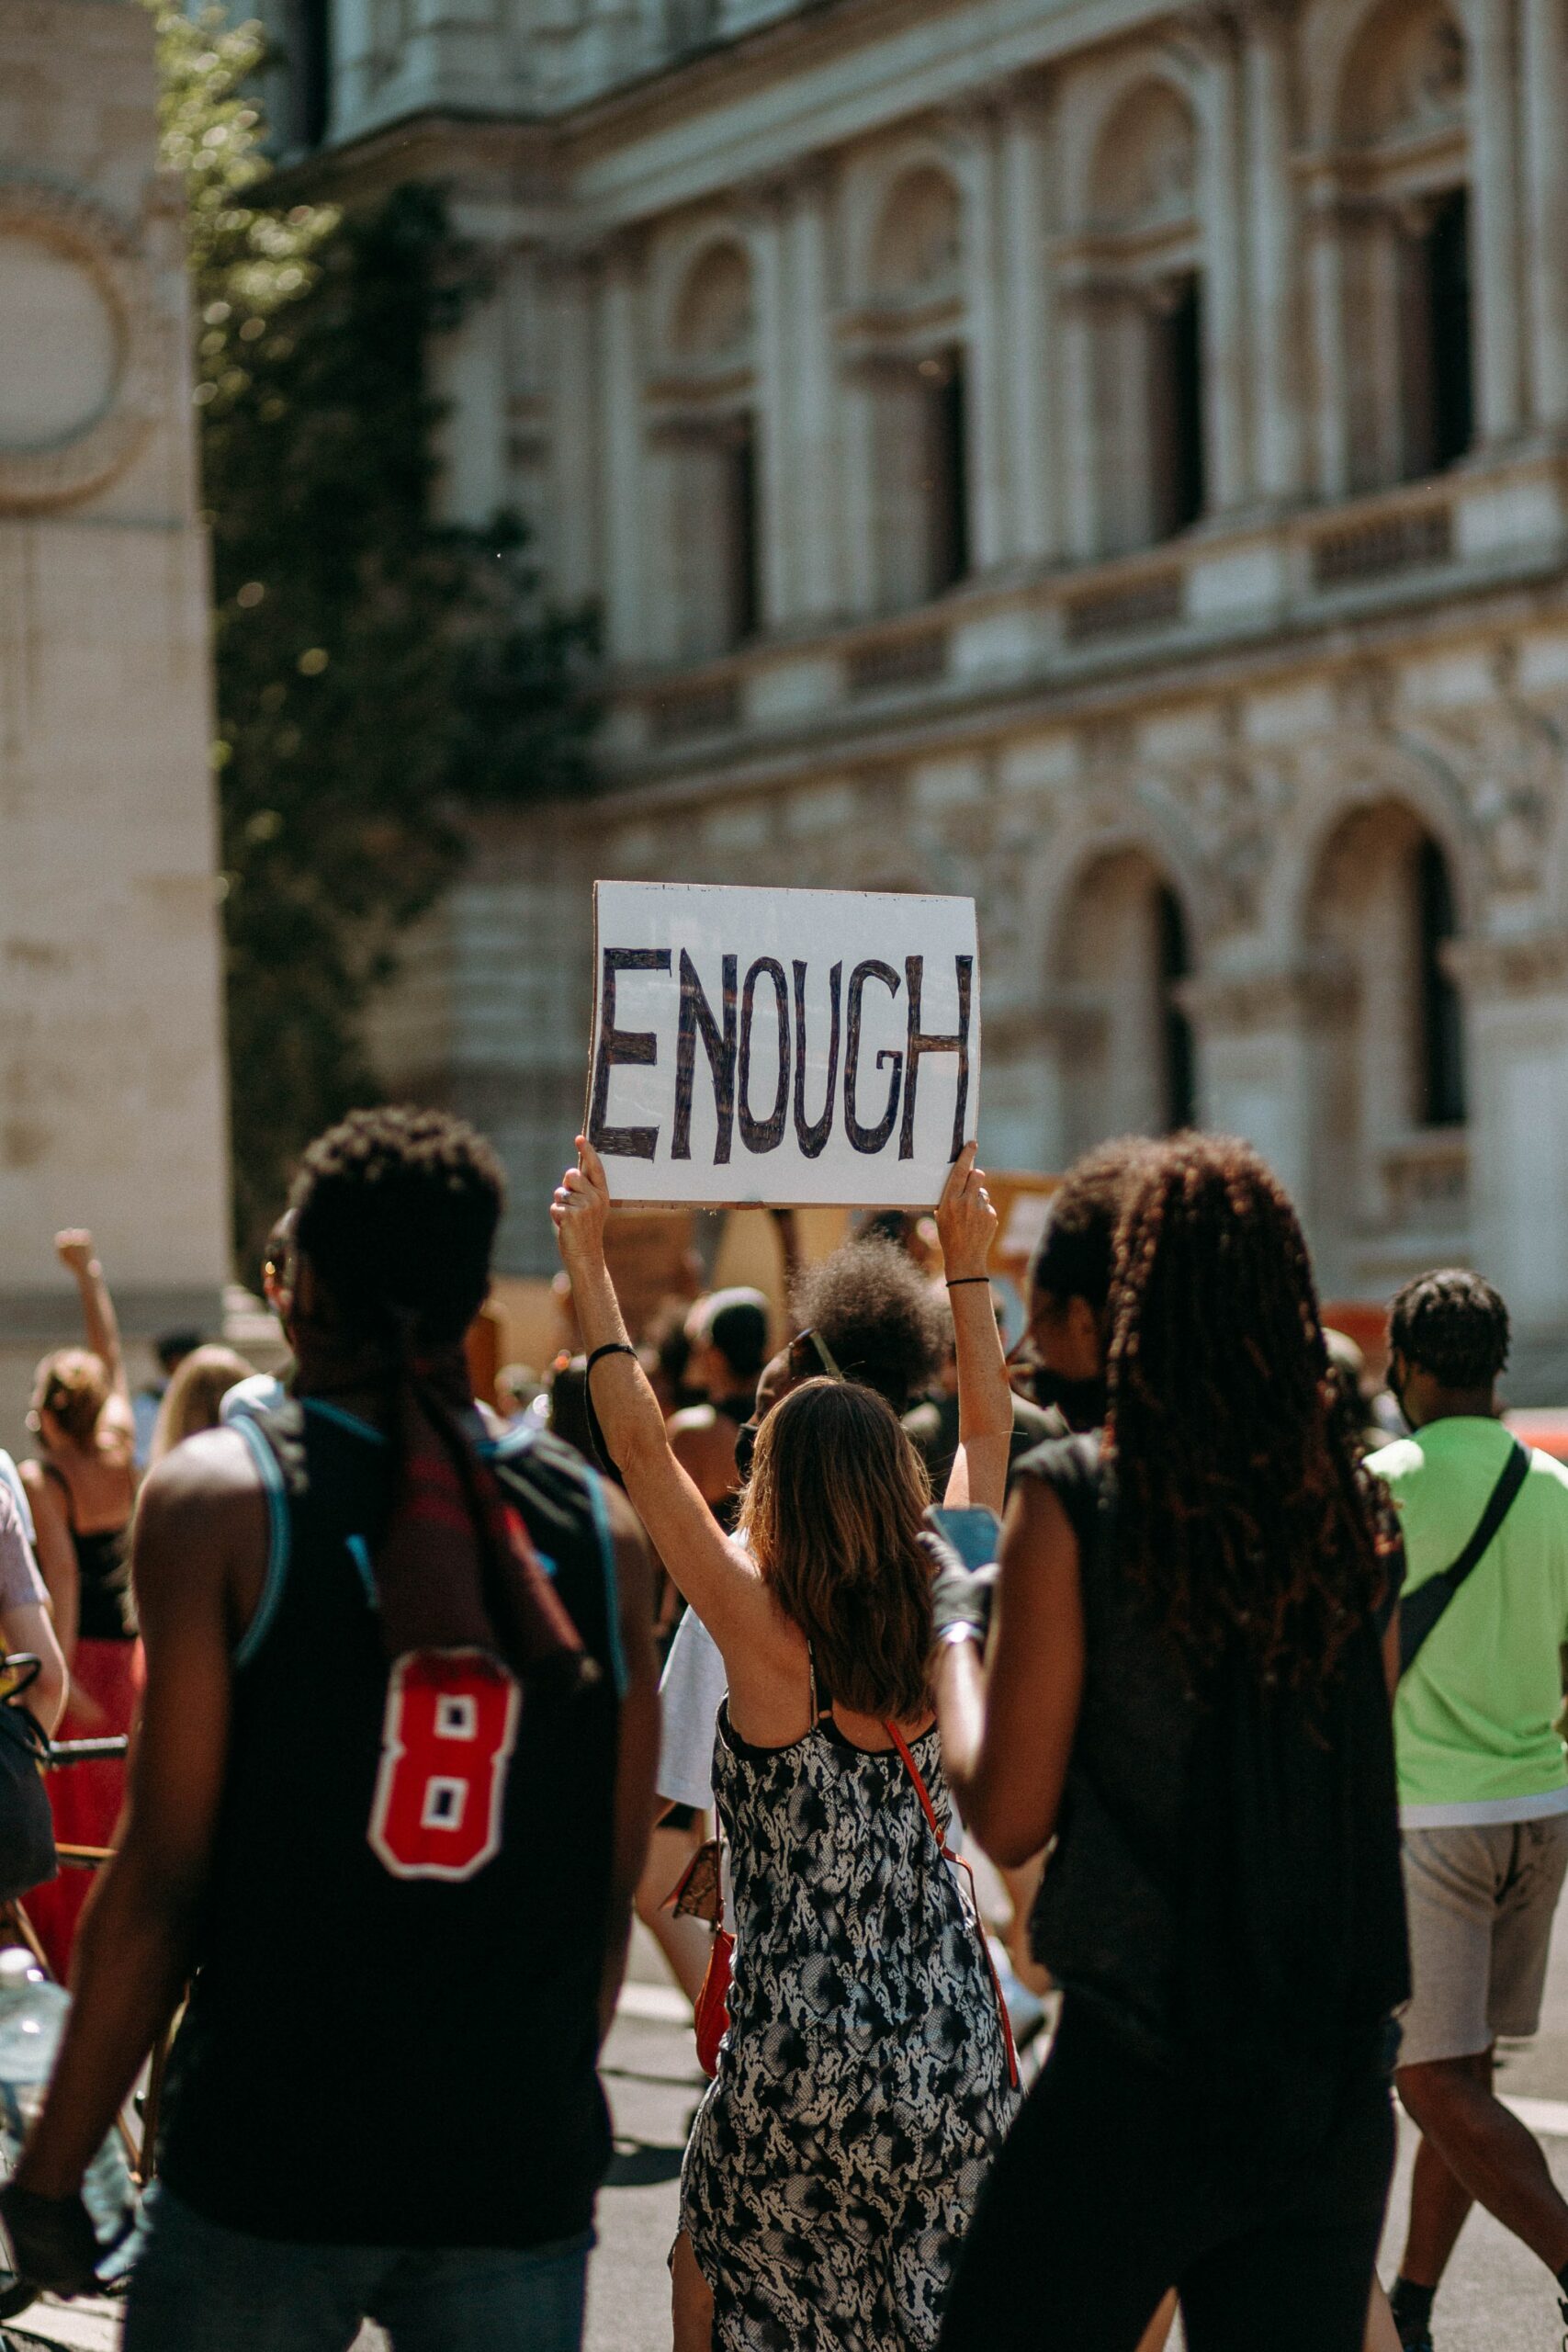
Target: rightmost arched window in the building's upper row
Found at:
1405, 246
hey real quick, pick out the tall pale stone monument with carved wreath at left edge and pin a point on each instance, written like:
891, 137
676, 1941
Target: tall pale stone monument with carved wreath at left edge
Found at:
112, 1064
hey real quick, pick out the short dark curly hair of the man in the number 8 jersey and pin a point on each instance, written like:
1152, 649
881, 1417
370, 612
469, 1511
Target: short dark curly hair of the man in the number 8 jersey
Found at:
398, 1210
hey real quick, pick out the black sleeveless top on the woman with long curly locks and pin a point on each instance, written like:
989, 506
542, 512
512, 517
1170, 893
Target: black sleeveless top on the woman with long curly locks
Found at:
1226, 1873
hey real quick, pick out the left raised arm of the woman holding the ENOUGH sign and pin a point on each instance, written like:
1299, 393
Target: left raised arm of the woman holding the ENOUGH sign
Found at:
716, 1575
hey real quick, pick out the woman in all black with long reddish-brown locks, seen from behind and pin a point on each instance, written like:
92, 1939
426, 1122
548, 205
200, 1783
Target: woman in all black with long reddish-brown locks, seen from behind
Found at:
1186, 1690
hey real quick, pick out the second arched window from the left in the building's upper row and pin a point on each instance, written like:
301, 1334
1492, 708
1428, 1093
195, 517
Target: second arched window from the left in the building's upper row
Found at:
918, 396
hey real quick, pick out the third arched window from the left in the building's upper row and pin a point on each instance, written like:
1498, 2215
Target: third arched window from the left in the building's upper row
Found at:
1146, 321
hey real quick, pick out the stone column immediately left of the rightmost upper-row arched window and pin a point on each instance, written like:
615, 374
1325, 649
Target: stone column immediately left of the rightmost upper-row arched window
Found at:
1275, 255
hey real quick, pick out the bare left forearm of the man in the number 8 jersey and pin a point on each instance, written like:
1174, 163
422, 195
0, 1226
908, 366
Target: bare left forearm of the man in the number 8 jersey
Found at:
130, 1970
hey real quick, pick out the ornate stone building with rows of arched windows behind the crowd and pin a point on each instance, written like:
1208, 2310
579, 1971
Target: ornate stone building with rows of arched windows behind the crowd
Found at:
1104, 457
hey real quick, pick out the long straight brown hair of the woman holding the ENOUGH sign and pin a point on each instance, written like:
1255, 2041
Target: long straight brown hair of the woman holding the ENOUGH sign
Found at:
831, 1514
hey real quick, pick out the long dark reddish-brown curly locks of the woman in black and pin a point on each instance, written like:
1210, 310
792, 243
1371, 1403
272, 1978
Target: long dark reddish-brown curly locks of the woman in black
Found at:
1240, 1509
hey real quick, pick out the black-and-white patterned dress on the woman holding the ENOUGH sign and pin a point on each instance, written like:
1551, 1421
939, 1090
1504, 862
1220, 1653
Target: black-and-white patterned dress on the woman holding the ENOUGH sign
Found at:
864, 2080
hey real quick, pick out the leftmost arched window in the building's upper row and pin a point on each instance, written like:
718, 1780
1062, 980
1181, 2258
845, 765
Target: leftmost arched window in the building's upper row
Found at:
709, 436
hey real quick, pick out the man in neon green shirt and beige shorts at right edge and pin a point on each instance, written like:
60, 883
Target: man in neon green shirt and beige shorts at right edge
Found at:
1482, 1782
